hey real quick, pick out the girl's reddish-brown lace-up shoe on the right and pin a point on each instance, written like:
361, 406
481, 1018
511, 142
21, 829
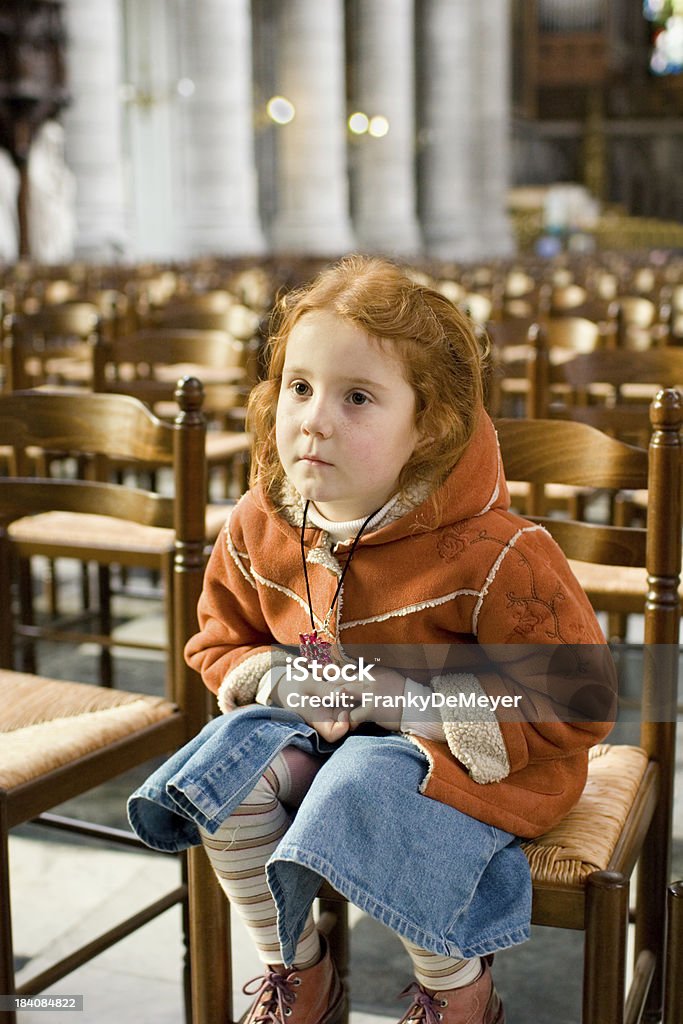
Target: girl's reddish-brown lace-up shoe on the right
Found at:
476, 1004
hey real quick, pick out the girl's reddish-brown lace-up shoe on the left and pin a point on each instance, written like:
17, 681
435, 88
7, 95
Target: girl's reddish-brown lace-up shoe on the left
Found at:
288, 996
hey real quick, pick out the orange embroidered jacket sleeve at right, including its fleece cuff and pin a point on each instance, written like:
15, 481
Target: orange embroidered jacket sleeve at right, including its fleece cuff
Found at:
539, 641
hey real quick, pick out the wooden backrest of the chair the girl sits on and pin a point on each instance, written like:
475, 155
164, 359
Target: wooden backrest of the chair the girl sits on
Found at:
546, 452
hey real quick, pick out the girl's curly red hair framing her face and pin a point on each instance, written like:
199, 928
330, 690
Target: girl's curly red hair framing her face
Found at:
444, 361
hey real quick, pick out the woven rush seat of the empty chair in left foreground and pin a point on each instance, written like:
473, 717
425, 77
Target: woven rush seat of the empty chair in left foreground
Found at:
47, 723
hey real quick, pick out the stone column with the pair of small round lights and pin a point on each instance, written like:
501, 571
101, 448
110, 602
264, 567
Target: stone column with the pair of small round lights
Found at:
385, 187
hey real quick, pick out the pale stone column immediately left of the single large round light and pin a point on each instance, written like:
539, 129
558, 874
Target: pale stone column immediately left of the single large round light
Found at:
219, 130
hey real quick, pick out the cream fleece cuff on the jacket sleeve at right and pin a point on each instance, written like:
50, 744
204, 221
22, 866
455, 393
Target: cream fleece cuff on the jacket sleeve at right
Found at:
476, 740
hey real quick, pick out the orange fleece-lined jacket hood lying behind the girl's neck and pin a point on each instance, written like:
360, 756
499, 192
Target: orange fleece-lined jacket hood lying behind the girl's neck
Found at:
476, 485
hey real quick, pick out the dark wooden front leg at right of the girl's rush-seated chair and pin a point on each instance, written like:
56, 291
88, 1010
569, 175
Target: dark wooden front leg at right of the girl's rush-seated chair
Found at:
605, 956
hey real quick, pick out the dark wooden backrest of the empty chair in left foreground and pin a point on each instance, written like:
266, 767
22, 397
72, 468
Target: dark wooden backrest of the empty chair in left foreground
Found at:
117, 428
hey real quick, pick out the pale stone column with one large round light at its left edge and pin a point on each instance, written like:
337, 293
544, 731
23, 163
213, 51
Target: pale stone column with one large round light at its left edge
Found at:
313, 192
